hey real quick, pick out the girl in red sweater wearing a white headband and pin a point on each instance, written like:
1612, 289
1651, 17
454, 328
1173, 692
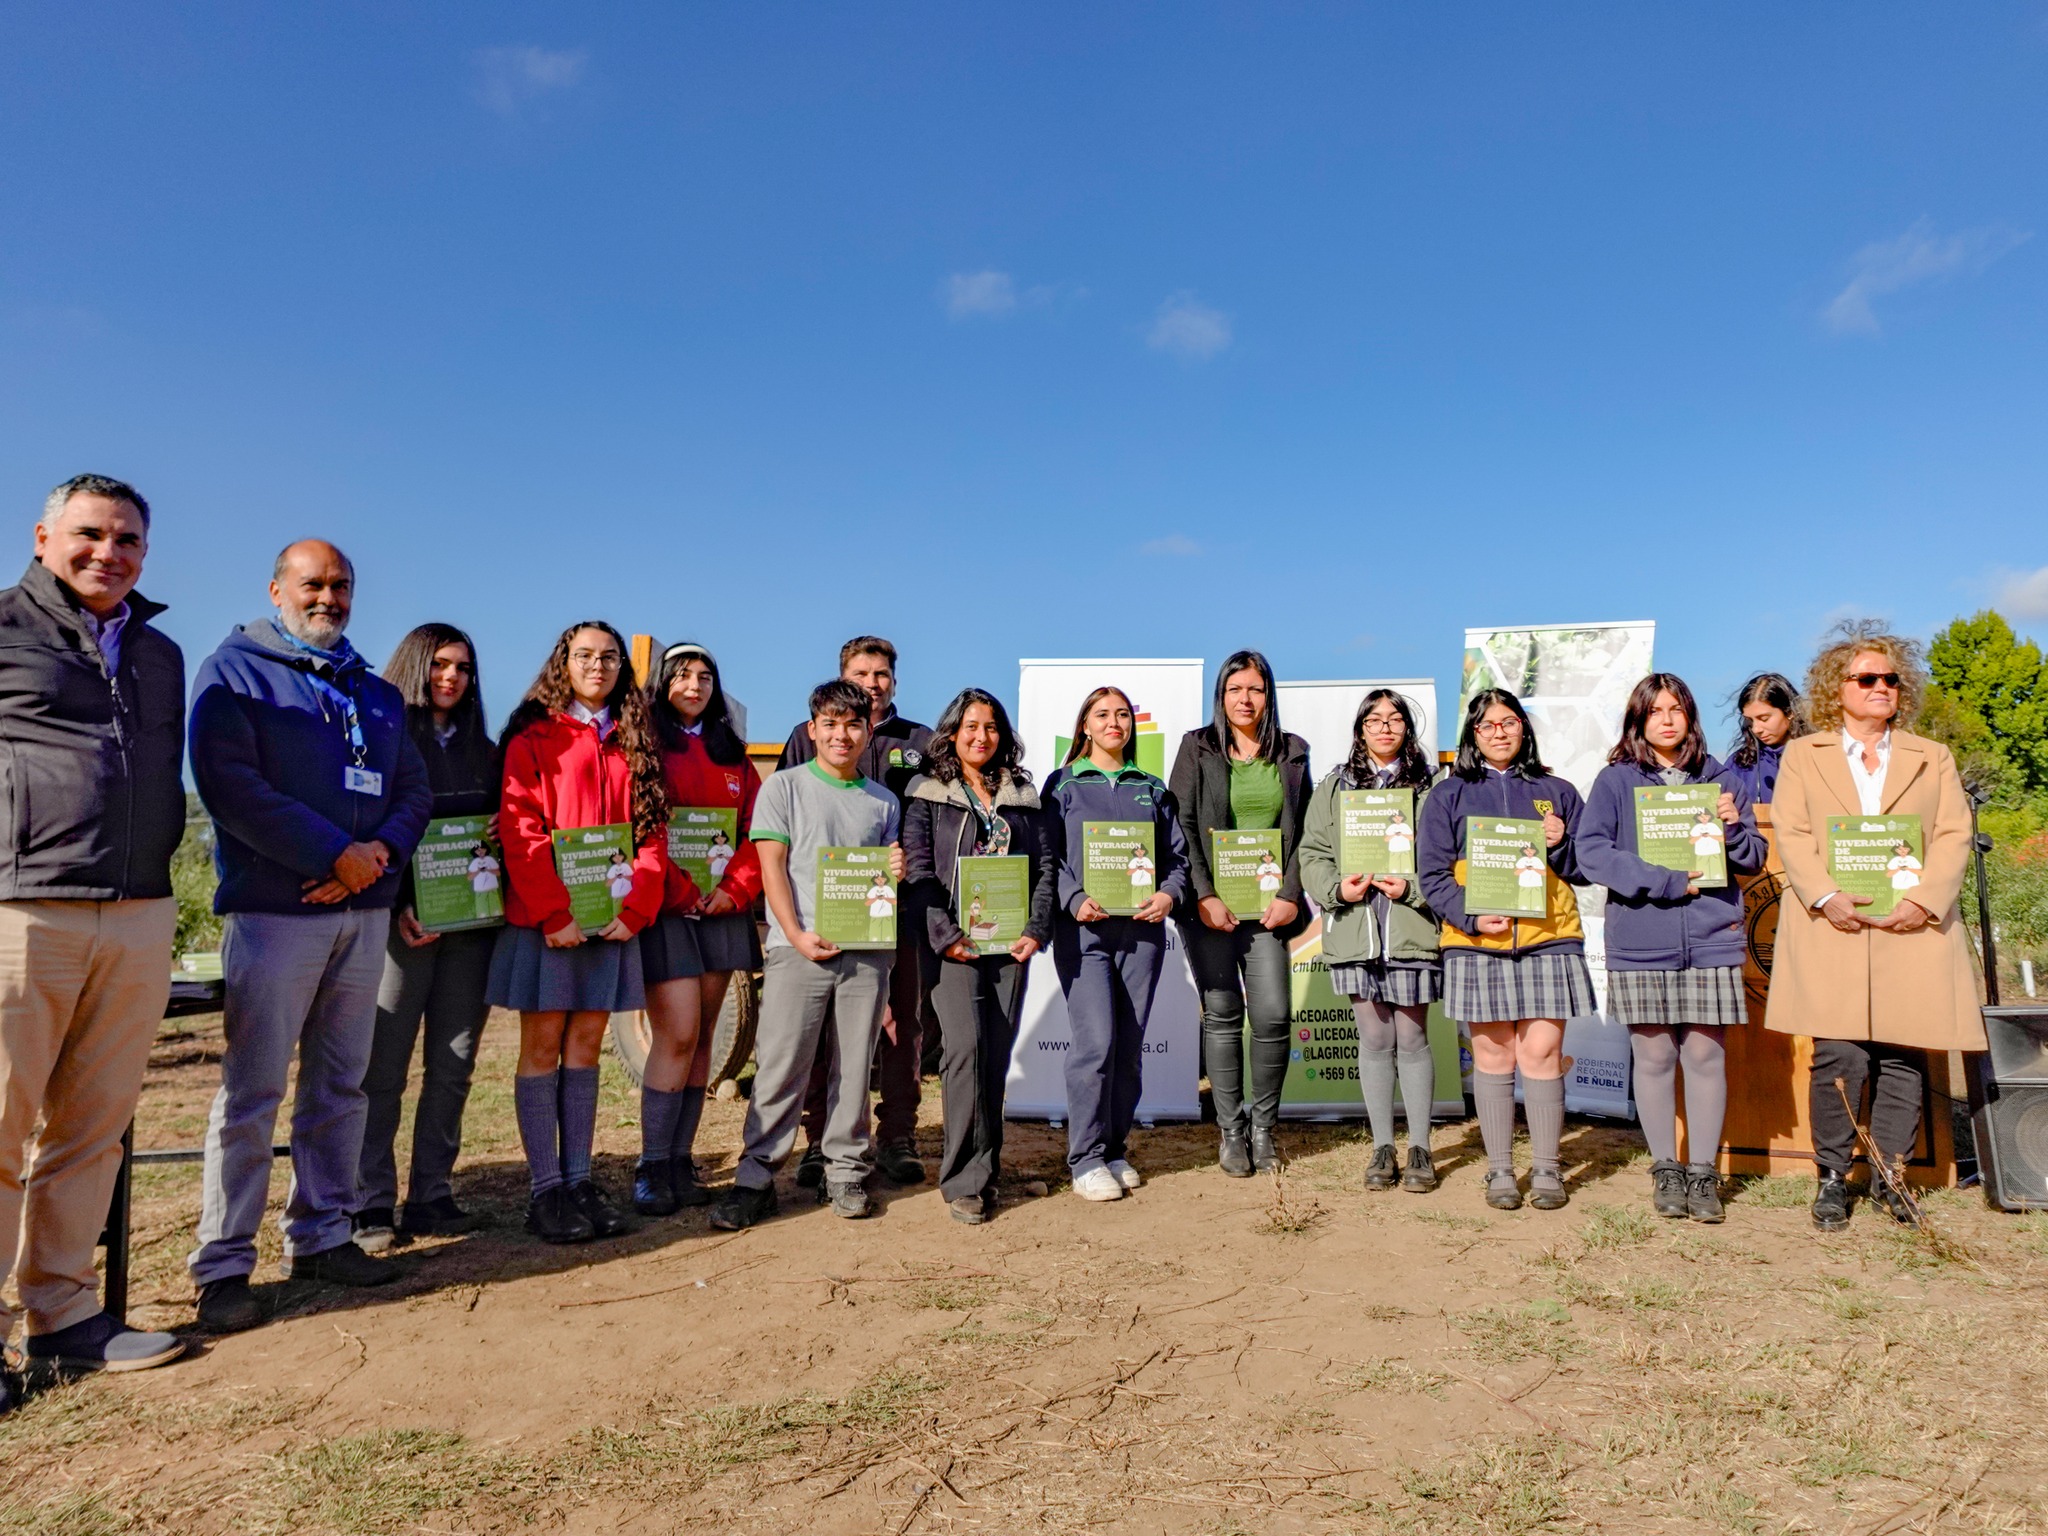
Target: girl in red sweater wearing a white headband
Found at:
708, 927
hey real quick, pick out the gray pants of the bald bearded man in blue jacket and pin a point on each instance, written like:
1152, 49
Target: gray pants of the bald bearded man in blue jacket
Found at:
296, 984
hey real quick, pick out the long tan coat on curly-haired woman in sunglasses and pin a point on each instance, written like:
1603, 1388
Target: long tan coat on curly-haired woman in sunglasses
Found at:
1873, 986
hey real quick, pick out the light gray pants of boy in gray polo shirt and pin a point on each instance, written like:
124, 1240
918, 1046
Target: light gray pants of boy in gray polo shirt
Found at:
798, 1000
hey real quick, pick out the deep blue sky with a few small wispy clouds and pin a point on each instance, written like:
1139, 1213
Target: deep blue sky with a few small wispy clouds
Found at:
1043, 331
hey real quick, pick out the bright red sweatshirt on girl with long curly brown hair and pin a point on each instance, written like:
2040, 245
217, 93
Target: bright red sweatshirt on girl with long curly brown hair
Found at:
558, 775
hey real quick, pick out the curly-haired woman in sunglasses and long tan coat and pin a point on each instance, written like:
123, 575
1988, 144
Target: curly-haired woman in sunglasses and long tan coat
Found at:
1873, 992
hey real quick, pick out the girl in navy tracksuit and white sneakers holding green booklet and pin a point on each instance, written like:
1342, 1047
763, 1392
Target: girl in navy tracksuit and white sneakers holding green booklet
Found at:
1109, 937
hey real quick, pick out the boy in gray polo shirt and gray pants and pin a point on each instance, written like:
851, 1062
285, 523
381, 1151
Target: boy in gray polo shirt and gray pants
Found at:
822, 804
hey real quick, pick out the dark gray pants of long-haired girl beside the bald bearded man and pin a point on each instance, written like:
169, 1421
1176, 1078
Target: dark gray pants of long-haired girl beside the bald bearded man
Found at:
443, 986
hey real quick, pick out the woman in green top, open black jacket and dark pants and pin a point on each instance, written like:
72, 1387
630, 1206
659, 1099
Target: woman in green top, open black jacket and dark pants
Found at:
1242, 773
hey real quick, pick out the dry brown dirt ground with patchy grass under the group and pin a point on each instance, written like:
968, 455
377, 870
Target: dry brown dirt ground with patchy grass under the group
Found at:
1207, 1357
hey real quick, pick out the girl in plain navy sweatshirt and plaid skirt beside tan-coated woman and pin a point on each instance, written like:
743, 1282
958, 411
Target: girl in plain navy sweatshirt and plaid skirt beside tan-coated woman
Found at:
1674, 927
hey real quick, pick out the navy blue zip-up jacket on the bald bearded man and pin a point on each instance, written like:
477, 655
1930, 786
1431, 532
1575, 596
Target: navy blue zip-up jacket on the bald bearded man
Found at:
269, 751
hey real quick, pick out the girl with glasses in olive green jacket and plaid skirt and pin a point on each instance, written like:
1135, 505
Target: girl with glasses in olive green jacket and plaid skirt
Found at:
1379, 935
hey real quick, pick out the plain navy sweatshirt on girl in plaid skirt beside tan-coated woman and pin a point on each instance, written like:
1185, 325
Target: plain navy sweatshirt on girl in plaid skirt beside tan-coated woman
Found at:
1652, 923
